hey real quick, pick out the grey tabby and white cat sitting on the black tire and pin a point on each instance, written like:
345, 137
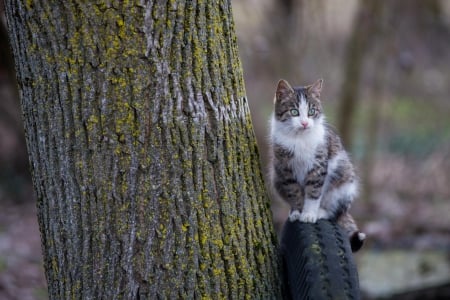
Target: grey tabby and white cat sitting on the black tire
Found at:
310, 168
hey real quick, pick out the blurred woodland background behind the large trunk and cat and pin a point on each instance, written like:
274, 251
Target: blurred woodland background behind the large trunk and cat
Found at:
386, 71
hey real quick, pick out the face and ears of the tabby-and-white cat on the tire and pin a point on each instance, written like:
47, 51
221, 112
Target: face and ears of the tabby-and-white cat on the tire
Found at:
298, 110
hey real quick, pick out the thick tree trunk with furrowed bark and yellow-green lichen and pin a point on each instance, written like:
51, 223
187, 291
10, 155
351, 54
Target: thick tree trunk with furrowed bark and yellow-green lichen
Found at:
142, 151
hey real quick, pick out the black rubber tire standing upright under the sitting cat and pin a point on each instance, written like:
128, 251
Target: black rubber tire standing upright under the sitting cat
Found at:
318, 262
